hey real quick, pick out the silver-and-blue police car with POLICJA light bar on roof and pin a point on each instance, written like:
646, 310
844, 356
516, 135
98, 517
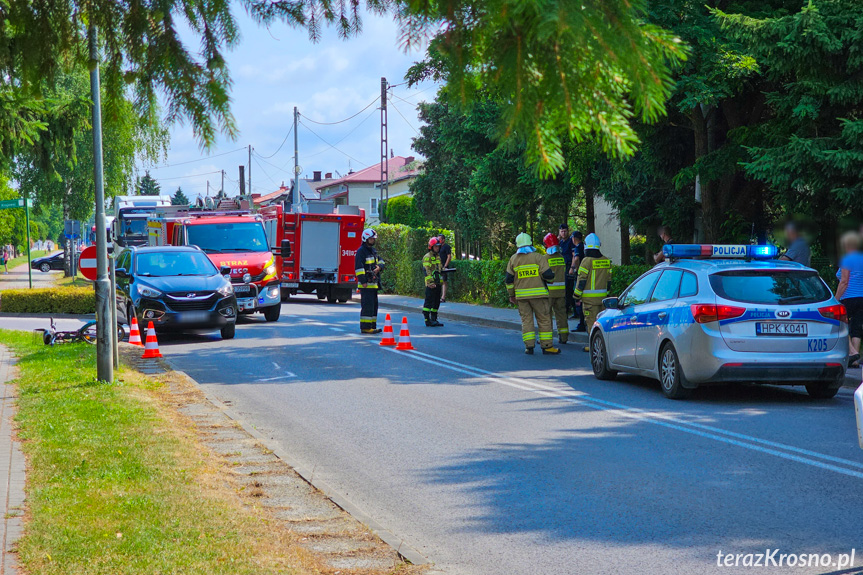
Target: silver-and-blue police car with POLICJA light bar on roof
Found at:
712, 314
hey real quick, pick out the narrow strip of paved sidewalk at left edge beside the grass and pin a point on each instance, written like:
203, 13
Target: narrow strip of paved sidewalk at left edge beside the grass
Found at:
11, 469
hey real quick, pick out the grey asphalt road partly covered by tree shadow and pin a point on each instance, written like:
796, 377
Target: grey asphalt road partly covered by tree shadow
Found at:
499, 463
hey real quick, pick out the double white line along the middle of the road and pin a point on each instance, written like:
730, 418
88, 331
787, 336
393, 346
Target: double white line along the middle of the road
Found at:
706, 431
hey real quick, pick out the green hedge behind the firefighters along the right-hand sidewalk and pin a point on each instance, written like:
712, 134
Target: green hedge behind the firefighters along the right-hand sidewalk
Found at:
475, 281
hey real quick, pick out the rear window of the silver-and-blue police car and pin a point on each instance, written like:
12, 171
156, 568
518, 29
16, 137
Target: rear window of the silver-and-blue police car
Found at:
771, 287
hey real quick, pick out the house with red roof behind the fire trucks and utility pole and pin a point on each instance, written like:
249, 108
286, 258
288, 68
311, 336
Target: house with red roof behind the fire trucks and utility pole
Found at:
363, 188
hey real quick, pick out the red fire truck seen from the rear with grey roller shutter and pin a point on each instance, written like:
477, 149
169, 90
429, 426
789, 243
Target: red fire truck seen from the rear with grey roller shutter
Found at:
318, 243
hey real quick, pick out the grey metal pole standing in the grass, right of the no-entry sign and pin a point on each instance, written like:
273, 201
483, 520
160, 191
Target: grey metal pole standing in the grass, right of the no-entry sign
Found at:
104, 353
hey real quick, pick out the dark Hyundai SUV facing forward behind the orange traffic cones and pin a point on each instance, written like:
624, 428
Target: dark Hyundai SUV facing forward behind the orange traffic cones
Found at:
177, 288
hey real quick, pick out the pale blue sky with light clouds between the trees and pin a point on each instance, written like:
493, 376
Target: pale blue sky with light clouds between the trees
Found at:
278, 68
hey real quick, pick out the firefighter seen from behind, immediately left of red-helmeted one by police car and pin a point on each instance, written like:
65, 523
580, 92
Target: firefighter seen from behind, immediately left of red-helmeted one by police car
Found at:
526, 275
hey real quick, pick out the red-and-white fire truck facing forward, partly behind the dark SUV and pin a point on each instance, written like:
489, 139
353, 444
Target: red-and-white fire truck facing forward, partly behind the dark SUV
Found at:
232, 237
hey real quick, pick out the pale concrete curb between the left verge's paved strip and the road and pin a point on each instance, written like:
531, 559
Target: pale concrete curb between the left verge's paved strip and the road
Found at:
402, 549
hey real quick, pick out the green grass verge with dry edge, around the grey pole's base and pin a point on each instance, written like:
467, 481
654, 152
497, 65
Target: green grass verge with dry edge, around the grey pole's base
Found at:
116, 485
